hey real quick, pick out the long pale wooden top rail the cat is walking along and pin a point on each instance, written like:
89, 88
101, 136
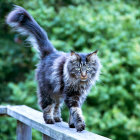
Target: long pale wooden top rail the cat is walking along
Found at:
58, 131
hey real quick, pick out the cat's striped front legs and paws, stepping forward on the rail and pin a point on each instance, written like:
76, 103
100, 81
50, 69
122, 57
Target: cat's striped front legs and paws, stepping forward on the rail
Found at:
76, 117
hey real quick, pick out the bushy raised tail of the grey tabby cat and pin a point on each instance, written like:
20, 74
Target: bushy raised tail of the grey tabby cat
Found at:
25, 24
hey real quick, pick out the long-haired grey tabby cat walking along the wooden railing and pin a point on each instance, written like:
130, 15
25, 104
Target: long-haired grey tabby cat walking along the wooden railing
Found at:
61, 77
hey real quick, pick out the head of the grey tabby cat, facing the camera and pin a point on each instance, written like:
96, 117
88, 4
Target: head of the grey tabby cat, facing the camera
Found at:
83, 66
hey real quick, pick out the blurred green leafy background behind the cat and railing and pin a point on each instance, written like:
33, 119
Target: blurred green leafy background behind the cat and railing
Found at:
112, 108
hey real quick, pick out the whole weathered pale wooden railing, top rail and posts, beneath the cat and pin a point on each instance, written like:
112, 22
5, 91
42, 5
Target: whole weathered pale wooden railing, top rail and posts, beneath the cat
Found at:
28, 118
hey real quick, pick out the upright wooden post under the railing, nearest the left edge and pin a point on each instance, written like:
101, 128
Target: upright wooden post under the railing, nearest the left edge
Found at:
24, 132
